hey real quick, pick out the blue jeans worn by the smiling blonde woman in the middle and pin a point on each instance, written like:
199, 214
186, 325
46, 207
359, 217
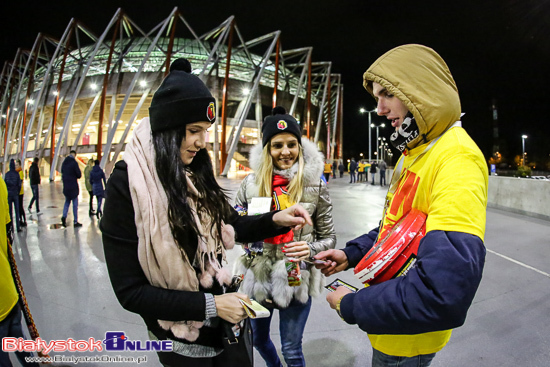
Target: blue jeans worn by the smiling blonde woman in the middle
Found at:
292, 322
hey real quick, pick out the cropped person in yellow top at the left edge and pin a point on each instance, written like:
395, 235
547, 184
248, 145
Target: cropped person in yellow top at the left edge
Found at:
10, 312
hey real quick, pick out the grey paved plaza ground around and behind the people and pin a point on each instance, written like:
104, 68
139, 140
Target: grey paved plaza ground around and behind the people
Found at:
68, 289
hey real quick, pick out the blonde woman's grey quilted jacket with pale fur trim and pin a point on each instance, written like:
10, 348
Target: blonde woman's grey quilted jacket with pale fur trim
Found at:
265, 277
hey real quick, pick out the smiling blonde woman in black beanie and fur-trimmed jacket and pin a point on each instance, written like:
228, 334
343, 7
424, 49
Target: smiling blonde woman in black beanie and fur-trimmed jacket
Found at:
287, 169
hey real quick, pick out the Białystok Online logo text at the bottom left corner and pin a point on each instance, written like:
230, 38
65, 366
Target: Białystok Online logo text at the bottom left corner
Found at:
115, 341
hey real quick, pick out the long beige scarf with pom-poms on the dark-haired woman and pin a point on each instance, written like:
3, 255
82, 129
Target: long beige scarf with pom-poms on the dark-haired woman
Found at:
166, 264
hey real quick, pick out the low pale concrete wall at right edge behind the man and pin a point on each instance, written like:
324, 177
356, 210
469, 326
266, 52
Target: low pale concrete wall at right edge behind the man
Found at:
520, 195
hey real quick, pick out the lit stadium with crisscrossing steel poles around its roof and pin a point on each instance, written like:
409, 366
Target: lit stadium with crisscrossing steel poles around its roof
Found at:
66, 93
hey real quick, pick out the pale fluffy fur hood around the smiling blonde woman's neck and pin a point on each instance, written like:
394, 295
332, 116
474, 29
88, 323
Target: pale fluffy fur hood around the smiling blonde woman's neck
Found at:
313, 158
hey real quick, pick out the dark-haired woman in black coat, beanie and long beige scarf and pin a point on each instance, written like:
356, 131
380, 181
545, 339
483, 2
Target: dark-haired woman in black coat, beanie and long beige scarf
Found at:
167, 224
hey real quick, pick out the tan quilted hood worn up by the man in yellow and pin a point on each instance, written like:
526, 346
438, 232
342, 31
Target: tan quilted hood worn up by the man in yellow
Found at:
420, 78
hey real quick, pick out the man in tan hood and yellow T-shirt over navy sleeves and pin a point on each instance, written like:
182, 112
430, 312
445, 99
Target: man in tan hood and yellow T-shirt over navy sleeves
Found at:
410, 318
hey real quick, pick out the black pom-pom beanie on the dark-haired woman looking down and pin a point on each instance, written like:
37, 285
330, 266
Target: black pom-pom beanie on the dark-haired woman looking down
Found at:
181, 99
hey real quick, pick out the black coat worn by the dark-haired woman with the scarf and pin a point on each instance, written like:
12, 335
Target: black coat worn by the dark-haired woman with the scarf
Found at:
133, 290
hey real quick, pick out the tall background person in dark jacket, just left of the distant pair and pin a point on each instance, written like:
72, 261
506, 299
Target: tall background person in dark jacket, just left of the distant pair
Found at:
70, 173
